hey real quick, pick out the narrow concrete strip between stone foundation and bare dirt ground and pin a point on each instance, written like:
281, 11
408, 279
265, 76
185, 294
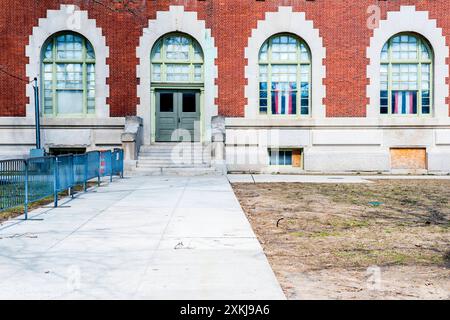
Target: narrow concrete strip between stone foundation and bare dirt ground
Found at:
307, 178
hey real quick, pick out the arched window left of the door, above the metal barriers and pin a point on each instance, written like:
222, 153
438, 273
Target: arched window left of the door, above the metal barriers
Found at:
68, 75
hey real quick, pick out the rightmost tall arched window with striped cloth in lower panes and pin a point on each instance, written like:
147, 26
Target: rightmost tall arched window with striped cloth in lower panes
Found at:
406, 76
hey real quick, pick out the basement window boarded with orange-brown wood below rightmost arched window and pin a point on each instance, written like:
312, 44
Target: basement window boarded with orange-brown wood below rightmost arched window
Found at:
408, 158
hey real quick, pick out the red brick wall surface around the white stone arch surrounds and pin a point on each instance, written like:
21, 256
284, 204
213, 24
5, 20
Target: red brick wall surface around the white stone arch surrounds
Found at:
342, 26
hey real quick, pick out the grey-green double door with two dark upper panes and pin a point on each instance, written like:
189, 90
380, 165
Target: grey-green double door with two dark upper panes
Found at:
177, 115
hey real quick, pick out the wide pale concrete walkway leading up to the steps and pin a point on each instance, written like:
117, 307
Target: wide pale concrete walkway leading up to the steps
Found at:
138, 238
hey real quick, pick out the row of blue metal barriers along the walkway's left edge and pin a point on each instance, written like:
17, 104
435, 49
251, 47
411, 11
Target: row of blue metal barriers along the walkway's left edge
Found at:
26, 181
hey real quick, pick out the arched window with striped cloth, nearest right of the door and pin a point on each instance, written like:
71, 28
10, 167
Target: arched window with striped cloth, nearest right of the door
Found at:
284, 76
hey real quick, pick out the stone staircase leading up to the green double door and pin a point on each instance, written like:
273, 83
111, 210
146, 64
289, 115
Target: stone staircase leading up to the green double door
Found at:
175, 159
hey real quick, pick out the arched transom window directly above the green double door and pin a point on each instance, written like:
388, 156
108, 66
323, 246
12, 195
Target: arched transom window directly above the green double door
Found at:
177, 58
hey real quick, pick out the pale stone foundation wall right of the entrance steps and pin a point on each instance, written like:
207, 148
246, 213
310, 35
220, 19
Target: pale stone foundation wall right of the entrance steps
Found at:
328, 149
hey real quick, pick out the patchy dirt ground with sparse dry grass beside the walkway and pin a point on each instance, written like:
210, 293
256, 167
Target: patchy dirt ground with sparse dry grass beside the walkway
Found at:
389, 239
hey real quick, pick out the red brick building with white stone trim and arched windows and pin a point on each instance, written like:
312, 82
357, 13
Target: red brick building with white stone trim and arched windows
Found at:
295, 85
